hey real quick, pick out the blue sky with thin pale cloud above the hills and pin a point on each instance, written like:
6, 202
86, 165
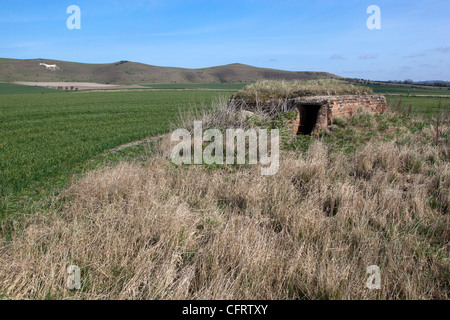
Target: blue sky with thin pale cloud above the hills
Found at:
321, 35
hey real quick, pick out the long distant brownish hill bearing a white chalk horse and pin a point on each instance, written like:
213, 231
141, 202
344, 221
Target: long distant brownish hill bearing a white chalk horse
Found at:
125, 72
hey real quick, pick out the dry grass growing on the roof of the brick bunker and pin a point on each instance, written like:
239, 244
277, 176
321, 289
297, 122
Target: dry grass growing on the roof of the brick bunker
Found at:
268, 89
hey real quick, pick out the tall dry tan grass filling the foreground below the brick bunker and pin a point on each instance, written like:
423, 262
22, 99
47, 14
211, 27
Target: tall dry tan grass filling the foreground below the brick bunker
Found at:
164, 232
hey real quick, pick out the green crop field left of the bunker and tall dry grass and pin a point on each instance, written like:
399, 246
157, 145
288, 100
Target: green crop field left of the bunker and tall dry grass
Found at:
44, 137
